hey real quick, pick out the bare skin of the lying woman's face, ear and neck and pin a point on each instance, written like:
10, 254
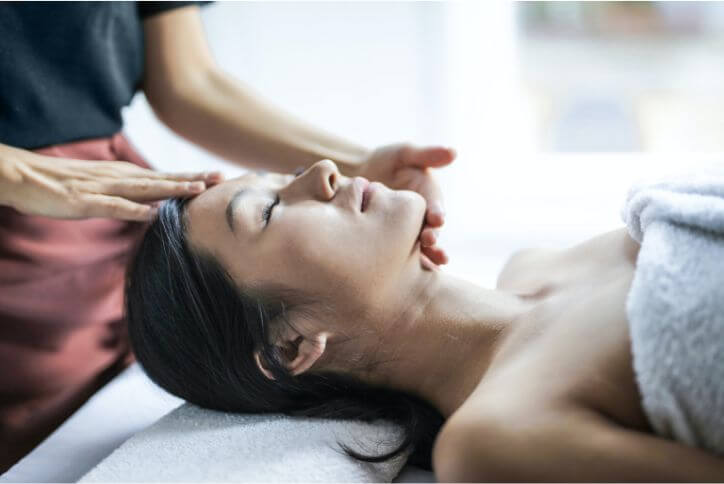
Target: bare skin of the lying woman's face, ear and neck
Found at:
383, 302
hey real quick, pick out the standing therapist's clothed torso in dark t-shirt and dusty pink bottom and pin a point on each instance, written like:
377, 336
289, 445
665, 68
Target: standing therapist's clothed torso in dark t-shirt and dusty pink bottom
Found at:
66, 70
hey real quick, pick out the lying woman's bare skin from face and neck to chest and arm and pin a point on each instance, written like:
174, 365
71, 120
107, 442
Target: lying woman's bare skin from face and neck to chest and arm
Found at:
534, 377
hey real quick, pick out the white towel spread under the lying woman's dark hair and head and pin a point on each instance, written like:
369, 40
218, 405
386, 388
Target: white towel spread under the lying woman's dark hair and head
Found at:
196, 444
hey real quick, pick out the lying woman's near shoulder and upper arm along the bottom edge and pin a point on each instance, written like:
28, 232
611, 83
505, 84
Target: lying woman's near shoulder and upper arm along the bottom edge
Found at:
565, 444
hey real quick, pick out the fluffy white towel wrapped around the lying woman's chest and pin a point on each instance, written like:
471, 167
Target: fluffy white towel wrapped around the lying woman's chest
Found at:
675, 306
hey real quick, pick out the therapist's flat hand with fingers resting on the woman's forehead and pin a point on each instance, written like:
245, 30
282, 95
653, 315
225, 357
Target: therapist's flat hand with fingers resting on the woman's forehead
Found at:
66, 188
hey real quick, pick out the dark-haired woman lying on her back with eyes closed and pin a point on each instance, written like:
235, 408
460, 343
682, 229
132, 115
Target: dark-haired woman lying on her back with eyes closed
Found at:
309, 296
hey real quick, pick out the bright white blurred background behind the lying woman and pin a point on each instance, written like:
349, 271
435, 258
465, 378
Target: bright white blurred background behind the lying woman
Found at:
555, 108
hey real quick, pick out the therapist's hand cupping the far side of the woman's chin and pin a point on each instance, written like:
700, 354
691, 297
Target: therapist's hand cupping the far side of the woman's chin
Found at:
406, 167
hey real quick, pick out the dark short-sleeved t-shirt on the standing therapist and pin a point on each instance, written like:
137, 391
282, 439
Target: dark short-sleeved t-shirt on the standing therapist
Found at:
67, 68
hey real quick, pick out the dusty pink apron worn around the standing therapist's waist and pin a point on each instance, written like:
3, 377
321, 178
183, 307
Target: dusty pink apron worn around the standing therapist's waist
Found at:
62, 332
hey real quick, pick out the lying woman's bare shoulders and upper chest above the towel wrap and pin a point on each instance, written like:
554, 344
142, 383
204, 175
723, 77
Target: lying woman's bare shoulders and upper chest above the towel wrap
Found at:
559, 401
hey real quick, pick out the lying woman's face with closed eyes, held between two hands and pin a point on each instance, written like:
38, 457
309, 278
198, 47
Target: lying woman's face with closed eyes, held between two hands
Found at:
311, 234
